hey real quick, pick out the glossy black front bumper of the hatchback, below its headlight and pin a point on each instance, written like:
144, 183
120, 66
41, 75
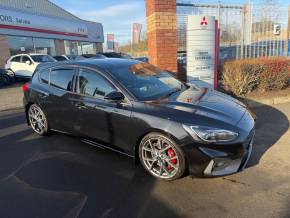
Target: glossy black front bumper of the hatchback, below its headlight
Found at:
218, 160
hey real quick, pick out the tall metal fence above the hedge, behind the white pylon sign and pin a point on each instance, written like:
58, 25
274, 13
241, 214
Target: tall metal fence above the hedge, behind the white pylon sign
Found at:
246, 31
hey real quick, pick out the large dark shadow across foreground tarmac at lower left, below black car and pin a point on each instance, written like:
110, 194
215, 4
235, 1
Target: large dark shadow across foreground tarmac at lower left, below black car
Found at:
60, 176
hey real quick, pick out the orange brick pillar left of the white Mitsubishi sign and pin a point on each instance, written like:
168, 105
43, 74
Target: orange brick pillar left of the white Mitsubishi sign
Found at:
162, 33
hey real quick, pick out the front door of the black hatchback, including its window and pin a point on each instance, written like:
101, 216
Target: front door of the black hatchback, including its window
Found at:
100, 119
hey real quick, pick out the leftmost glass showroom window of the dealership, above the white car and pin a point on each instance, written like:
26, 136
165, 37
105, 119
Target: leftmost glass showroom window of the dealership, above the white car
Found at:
19, 44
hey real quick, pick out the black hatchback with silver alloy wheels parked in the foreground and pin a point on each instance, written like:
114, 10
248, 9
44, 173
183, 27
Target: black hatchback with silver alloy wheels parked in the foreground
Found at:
141, 111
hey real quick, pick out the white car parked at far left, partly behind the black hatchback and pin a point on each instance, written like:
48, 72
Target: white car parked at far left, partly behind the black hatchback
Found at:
23, 65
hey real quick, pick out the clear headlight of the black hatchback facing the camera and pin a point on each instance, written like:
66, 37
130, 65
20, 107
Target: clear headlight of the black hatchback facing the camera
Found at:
209, 134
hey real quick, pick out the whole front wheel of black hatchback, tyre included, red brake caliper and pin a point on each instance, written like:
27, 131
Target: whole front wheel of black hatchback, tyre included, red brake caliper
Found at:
161, 157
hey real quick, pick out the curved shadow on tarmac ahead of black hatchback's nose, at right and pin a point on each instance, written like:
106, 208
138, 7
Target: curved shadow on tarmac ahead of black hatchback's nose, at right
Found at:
271, 125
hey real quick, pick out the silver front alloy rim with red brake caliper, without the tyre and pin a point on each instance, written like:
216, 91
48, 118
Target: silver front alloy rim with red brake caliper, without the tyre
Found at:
158, 160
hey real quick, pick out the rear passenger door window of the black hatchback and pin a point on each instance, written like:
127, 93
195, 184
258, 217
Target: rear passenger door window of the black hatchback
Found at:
62, 78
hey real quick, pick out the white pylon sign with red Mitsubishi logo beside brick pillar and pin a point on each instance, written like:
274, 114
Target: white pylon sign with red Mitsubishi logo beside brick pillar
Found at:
202, 49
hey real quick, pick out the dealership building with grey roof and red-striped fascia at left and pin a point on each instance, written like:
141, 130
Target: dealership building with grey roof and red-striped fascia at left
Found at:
29, 26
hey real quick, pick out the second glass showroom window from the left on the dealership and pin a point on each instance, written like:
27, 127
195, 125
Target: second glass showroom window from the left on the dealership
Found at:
44, 46
